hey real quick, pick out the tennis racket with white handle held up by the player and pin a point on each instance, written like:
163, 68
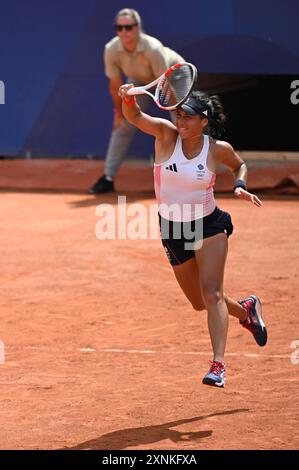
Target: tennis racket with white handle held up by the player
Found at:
172, 88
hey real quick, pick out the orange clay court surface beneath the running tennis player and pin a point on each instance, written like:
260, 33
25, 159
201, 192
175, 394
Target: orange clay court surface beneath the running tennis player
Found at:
102, 350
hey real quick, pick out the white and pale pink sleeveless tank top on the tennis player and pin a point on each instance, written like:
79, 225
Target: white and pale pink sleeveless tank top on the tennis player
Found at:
185, 184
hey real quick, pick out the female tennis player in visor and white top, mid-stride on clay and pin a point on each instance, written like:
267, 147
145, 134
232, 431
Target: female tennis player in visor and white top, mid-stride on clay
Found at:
187, 155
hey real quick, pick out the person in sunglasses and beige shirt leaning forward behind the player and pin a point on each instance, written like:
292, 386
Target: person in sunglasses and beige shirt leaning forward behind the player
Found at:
142, 59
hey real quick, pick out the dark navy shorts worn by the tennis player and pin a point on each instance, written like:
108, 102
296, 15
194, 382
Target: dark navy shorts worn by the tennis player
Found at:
178, 238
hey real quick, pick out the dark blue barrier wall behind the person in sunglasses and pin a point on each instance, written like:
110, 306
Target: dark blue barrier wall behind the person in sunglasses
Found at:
56, 95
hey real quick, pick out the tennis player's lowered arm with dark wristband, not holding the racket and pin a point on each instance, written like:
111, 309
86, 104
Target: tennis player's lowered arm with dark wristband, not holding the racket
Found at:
226, 155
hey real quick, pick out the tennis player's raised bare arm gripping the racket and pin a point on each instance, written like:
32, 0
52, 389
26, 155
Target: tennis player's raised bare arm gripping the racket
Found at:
158, 127
